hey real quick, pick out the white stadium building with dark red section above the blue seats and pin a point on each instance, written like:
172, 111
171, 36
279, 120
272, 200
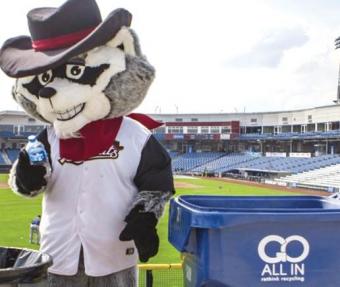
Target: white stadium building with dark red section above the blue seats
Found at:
314, 131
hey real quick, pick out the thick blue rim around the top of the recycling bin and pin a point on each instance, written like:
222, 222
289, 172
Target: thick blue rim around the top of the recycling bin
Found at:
206, 212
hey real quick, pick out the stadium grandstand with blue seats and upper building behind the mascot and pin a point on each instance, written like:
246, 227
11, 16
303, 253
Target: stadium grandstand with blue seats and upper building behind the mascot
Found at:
282, 147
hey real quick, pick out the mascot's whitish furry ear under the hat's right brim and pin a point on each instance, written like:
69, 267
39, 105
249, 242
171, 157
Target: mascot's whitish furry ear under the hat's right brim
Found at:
125, 40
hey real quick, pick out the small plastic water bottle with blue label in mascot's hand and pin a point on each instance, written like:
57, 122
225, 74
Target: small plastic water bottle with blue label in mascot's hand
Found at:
37, 153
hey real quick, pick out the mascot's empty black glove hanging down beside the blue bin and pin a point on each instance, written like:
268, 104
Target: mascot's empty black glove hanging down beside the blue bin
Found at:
141, 227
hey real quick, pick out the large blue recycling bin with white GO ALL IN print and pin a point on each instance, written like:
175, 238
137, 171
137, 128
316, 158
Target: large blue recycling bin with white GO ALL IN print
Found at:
247, 241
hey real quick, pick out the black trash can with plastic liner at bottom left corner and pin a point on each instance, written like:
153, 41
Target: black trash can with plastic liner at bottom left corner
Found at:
23, 265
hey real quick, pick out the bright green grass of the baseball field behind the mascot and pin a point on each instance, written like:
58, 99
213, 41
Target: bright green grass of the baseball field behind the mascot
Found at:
17, 212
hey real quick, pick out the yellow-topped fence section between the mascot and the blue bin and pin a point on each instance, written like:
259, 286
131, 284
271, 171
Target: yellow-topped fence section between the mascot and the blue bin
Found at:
164, 275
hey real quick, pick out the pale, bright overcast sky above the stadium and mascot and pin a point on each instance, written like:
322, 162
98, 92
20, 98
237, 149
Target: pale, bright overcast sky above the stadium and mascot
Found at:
221, 56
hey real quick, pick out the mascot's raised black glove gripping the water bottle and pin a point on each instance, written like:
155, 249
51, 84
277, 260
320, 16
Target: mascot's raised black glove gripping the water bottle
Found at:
29, 177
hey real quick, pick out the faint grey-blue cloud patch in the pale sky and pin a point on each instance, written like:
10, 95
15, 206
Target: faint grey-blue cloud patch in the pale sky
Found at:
269, 51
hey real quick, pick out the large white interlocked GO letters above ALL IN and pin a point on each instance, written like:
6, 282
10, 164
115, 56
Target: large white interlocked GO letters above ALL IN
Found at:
282, 255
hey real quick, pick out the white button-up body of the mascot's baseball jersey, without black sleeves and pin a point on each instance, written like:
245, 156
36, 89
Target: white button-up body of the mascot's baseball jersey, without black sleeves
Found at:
86, 202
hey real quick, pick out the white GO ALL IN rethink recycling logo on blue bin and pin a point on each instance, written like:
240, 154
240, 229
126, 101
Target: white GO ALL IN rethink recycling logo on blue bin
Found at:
283, 257
